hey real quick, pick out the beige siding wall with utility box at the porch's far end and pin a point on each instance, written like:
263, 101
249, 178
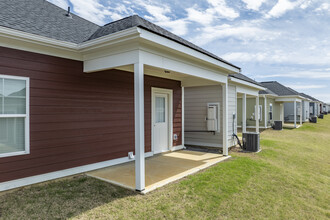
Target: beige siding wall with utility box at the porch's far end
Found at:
196, 99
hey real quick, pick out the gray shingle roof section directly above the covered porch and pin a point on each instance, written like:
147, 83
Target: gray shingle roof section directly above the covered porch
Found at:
136, 21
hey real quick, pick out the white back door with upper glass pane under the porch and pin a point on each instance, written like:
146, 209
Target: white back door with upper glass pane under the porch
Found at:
160, 123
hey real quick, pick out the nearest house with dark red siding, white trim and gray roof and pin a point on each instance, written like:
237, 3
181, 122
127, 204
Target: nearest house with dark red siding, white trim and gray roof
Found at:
76, 96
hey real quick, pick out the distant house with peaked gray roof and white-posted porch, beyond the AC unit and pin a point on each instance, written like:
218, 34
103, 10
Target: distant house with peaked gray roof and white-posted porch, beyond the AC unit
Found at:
289, 99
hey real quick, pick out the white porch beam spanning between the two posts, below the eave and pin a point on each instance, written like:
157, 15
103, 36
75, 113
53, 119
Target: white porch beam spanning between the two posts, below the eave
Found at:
181, 66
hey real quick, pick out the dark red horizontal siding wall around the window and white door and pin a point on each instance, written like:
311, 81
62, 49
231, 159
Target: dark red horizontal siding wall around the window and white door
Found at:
76, 118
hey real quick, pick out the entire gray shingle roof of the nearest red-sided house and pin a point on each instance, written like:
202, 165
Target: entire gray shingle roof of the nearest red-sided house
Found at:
43, 18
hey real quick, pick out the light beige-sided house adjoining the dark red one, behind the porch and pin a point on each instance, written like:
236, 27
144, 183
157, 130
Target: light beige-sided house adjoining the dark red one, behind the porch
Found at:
200, 100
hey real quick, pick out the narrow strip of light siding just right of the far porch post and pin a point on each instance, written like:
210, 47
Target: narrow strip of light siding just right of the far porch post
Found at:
232, 104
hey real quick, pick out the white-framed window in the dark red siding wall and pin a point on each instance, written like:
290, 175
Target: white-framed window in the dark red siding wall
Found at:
14, 115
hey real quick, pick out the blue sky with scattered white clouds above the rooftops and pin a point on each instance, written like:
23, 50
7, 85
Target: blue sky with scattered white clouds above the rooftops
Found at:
271, 40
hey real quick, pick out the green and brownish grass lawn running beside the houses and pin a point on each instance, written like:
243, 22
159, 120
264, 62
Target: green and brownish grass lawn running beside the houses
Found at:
288, 179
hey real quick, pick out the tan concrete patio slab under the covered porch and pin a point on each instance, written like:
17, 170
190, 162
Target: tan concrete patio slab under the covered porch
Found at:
160, 169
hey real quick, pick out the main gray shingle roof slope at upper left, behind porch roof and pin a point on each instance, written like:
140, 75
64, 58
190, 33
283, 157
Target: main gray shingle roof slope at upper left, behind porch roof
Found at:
43, 18
